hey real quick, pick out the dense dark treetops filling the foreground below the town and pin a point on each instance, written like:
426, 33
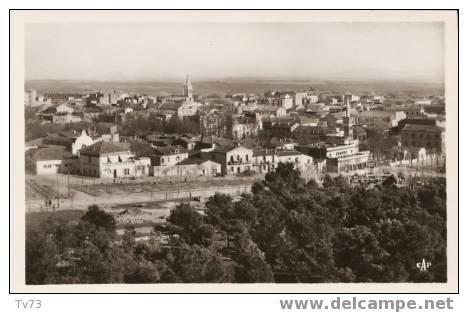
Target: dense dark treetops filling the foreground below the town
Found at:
287, 230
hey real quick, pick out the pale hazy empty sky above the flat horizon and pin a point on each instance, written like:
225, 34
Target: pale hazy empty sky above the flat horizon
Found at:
207, 50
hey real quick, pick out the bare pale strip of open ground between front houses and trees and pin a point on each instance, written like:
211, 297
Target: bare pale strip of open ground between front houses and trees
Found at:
77, 193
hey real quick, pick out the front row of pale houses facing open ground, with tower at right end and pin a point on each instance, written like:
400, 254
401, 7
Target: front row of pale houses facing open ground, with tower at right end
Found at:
186, 156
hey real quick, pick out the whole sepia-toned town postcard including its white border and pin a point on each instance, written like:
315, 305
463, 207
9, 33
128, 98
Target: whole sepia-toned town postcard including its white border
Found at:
237, 148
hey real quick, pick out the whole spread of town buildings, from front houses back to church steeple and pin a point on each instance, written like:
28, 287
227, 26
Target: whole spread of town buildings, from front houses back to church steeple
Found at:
323, 134
